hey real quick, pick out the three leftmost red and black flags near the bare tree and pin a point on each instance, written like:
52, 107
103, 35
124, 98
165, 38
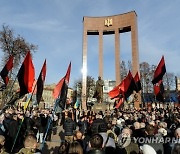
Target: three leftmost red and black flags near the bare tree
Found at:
26, 76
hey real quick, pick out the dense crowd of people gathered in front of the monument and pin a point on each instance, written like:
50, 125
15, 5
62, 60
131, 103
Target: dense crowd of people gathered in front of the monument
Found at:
123, 131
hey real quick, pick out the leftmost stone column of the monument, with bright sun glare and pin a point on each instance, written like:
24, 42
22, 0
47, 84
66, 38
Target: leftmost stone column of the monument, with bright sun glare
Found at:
84, 70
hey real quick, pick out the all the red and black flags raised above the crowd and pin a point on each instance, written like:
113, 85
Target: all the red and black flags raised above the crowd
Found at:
26, 78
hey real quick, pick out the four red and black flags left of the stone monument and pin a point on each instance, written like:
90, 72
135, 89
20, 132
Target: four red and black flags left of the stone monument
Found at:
26, 79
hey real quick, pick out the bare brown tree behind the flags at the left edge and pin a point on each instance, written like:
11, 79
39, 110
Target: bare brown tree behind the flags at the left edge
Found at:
16, 46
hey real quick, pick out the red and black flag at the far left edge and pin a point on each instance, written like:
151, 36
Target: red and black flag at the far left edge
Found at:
6, 69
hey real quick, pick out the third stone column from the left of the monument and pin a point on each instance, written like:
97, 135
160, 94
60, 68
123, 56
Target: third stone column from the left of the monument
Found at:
117, 56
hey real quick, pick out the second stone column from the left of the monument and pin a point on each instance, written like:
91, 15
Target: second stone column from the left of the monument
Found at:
101, 54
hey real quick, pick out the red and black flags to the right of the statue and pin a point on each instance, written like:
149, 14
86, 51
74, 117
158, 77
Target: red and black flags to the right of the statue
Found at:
122, 91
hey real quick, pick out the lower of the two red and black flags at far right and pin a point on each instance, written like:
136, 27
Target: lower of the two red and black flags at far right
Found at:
159, 91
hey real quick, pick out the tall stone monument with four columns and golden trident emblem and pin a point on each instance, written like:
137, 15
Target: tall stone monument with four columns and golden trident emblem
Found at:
110, 25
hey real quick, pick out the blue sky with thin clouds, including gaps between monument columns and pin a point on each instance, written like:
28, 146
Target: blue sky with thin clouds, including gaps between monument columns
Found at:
56, 27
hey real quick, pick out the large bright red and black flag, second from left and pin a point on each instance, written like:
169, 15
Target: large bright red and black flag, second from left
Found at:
26, 75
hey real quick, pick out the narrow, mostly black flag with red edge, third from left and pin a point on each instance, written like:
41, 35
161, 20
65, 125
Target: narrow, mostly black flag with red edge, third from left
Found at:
40, 83
